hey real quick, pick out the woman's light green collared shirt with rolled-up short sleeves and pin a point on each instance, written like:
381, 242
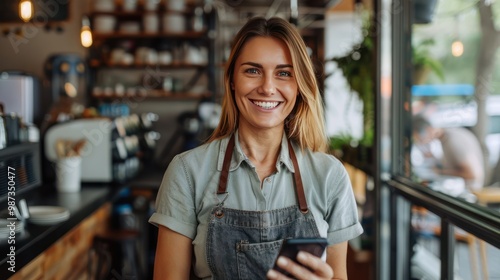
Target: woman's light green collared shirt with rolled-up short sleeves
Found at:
187, 193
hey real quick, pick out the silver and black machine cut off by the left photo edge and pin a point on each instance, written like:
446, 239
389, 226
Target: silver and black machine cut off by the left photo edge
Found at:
20, 158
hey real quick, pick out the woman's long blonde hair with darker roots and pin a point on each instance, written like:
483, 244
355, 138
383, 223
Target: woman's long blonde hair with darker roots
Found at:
305, 125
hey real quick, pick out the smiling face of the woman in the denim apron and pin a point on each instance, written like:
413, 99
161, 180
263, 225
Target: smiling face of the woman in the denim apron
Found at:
264, 85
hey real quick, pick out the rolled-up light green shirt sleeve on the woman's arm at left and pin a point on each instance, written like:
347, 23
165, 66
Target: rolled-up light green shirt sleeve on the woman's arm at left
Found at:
174, 206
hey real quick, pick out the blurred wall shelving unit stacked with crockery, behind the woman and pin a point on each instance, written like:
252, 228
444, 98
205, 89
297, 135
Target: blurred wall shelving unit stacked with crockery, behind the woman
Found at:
129, 61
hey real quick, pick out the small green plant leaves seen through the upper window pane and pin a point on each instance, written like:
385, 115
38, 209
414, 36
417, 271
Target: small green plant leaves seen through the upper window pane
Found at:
423, 60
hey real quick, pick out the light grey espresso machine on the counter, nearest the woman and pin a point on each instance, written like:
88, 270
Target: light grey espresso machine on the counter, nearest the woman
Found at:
115, 148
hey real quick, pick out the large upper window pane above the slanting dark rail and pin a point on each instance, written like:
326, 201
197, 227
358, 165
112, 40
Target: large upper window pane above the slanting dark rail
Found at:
455, 99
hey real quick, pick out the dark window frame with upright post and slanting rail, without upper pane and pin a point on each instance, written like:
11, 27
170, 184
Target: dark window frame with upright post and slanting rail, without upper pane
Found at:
395, 192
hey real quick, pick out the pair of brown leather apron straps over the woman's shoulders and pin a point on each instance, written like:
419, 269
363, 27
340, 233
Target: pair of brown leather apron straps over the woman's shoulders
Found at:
299, 187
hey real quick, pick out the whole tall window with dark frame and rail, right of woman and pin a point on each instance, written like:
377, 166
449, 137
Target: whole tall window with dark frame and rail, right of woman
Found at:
439, 191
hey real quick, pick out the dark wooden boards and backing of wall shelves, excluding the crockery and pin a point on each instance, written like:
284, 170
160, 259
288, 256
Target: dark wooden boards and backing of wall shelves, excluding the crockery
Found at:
190, 75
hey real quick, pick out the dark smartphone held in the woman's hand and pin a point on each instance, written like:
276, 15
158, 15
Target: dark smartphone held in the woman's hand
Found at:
291, 247
